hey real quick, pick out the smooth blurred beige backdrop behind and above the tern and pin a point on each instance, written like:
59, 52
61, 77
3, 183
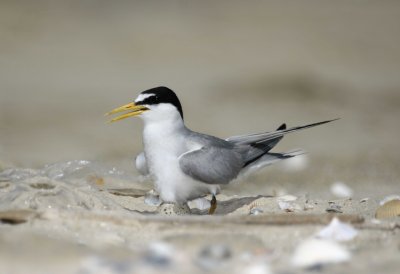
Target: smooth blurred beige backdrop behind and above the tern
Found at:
238, 67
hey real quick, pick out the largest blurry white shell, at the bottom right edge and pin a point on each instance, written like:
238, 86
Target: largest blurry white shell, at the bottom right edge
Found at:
316, 252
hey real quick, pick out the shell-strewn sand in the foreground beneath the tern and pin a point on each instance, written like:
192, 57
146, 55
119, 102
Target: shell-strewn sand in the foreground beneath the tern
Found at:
80, 218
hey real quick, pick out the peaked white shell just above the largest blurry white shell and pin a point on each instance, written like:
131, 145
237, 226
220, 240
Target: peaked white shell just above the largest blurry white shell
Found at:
337, 231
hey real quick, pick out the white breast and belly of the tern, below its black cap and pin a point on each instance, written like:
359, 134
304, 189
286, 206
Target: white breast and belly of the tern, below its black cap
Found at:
165, 138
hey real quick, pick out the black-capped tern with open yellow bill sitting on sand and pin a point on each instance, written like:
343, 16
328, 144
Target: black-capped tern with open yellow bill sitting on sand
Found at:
186, 165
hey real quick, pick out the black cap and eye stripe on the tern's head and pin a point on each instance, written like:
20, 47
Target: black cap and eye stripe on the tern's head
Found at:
161, 95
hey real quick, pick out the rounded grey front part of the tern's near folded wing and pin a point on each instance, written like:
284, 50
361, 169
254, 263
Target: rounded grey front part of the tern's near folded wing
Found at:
212, 165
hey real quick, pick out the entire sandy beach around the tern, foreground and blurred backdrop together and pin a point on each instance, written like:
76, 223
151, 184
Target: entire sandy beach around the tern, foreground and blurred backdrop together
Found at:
237, 68
